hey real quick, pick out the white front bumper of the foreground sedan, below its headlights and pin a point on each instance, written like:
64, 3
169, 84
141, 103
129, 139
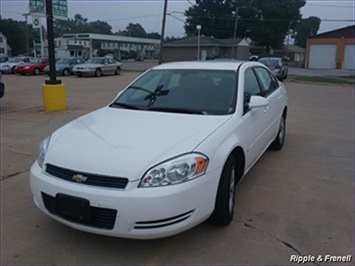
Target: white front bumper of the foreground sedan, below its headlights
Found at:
142, 213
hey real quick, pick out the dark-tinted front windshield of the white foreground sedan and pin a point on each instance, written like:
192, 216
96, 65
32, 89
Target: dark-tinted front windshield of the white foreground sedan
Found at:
206, 92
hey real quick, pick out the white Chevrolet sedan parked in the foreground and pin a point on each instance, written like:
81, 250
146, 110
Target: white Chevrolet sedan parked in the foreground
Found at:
166, 154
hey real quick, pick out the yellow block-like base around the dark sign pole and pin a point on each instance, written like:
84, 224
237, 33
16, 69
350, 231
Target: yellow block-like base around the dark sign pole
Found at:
54, 97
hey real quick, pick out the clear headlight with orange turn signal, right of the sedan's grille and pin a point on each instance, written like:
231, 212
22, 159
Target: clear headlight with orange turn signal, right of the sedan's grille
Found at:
175, 171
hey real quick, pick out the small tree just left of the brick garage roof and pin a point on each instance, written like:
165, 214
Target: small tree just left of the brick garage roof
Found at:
304, 29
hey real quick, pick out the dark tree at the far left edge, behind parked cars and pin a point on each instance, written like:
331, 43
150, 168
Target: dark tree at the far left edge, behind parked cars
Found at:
15, 32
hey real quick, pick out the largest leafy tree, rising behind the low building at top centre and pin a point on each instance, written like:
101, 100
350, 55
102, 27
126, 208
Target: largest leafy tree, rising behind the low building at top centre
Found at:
265, 21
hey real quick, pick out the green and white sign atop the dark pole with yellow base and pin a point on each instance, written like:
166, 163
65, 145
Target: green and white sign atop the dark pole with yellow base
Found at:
60, 8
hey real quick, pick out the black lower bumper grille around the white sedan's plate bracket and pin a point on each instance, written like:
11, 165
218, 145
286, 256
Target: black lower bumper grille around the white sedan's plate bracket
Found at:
100, 217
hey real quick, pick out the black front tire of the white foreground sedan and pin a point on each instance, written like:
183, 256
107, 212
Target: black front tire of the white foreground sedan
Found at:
225, 201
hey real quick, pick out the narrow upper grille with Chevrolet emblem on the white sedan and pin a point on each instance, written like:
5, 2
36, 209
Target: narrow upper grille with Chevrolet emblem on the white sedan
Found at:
87, 179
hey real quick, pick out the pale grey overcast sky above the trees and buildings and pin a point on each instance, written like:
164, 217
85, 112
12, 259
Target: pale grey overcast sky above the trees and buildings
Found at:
119, 13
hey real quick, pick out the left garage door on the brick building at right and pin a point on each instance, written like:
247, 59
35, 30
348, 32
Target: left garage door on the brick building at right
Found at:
322, 56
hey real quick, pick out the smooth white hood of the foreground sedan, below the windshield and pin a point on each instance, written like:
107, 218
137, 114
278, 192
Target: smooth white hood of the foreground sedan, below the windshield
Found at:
126, 143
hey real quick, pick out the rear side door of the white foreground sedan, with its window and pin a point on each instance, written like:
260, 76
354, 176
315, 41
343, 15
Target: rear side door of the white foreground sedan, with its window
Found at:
271, 91
